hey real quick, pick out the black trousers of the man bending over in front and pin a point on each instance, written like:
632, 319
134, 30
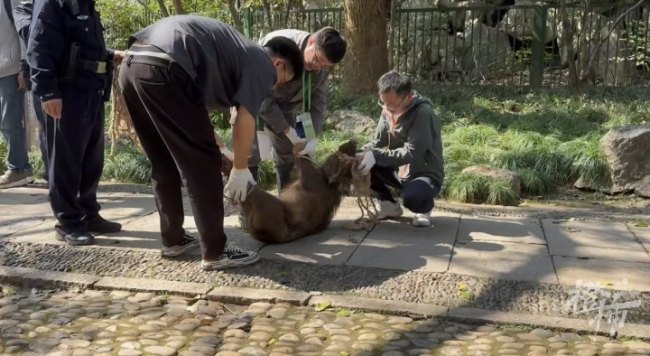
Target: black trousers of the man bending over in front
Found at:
175, 131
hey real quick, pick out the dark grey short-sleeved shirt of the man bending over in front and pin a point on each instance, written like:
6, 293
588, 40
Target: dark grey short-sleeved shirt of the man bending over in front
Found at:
229, 69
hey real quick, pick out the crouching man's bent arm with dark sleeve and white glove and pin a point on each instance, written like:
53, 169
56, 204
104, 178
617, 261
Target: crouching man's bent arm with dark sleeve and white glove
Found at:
420, 138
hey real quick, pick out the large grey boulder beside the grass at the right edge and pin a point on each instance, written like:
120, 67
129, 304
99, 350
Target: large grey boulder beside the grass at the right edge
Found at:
626, 149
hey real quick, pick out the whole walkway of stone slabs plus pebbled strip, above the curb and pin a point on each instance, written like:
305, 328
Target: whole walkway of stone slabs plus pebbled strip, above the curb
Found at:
497, 261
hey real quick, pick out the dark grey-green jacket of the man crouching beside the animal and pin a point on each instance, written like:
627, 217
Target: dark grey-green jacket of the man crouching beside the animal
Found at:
415, 142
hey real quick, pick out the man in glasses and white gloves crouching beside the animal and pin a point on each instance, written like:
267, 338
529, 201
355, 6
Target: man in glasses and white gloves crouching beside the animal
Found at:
406, 152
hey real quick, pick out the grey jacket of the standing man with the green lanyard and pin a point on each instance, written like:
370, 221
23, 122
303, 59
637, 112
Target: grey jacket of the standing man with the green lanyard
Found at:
279, 110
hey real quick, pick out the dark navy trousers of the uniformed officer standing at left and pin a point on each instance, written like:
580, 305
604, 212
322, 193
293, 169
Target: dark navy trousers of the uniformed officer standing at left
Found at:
76, 159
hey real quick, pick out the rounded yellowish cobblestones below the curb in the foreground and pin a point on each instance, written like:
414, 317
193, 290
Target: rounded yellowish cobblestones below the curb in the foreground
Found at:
122, 323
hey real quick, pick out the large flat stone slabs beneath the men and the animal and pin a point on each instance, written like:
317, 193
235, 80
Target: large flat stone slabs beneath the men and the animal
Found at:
556, 251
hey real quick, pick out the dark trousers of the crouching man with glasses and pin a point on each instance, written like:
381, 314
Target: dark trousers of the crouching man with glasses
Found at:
417, 194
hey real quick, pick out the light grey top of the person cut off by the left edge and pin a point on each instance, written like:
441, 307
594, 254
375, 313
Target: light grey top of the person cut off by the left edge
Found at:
11, 49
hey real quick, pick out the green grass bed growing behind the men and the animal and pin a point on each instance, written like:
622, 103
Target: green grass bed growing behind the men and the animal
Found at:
549, 137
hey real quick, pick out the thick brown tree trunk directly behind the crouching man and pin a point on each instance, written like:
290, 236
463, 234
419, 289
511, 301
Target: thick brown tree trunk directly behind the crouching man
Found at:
367, 55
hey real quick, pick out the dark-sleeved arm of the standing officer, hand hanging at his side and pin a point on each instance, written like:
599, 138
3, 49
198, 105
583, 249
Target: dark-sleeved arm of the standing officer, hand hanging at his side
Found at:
46, 48
